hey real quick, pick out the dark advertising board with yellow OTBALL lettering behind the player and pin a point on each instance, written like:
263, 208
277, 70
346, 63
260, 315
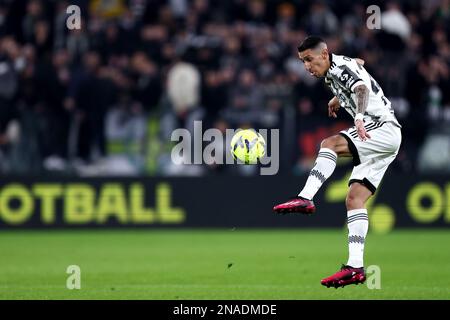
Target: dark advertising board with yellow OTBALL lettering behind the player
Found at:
222, 202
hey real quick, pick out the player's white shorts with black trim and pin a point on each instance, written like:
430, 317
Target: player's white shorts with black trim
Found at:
372, 157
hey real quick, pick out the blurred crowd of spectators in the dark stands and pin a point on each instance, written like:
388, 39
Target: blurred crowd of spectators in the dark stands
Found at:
105, 98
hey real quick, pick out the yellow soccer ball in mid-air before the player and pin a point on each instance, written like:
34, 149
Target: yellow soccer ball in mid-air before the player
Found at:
248, 146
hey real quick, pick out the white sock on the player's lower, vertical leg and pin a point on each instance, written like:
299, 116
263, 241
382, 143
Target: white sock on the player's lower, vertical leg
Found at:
358, 224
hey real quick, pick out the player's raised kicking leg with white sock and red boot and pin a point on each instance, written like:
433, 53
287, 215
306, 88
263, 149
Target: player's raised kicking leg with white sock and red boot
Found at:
324, 166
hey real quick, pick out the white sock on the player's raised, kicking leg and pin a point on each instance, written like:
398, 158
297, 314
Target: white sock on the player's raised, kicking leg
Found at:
322, 170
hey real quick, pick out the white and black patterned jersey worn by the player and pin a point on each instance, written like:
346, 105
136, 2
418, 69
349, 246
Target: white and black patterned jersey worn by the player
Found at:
344, 75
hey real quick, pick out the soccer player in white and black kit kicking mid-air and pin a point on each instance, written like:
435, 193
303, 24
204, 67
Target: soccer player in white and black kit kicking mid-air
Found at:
373, 142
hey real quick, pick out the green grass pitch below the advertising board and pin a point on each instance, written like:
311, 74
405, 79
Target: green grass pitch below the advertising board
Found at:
218, 264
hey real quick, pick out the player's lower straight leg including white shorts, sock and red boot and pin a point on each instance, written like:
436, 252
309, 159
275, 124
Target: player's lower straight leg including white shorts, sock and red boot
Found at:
373, 157
